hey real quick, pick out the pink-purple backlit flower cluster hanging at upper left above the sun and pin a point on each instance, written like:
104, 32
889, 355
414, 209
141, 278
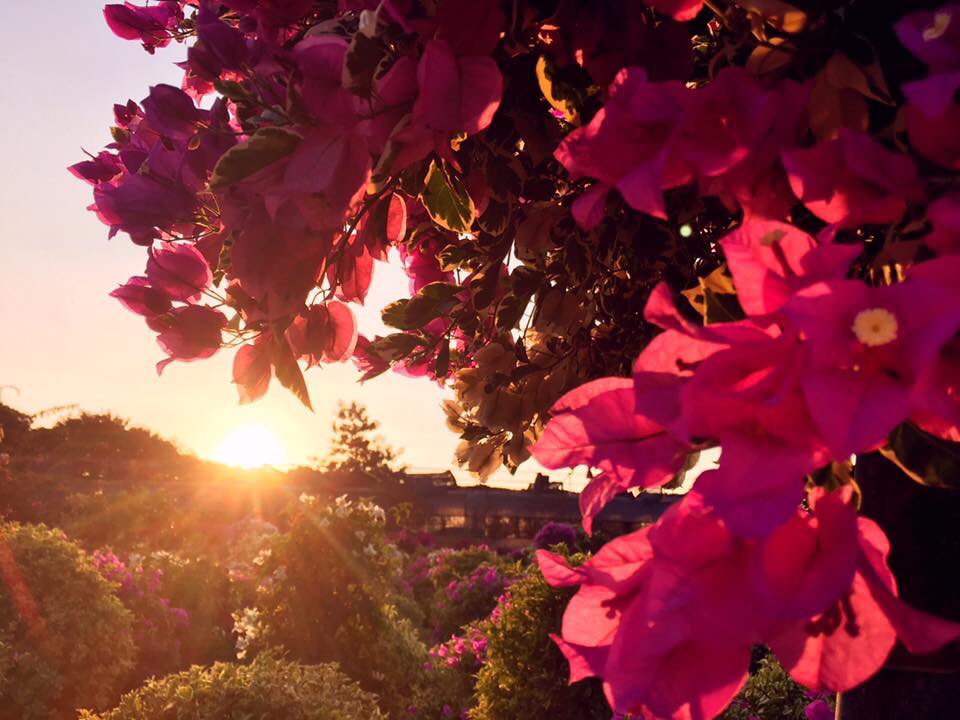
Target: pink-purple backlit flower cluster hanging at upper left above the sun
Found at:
271, 188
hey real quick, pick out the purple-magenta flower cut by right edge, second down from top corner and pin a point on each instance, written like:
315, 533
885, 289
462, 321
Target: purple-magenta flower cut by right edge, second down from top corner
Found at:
932, 115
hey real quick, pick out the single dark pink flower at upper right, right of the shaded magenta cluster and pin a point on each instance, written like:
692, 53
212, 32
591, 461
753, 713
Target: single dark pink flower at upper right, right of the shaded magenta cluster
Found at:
853, 180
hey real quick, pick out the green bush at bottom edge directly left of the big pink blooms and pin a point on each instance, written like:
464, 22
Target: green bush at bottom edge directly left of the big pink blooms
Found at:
525, 676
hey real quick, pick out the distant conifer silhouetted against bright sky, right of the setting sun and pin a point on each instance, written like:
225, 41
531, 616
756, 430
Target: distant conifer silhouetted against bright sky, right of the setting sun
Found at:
357, 449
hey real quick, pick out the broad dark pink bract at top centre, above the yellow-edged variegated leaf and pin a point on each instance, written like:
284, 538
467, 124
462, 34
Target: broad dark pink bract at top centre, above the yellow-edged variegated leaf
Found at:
457, 94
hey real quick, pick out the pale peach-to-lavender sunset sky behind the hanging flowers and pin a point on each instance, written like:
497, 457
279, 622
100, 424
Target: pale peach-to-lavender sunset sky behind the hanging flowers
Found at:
63, 341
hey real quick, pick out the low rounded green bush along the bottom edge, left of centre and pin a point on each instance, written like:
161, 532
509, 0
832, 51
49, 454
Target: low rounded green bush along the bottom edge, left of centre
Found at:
267, 689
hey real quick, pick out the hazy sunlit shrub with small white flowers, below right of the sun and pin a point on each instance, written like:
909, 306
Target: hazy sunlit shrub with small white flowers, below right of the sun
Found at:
324, 592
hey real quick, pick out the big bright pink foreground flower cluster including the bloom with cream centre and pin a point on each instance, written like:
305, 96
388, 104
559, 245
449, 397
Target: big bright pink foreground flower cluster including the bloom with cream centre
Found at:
822, 368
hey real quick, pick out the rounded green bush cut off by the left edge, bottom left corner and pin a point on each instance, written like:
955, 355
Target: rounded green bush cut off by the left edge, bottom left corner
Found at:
65, 639
